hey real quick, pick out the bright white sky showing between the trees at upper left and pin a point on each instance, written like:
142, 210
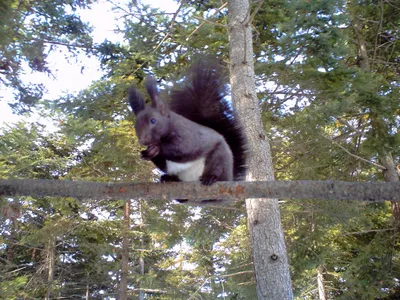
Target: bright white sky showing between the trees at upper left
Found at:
69, 78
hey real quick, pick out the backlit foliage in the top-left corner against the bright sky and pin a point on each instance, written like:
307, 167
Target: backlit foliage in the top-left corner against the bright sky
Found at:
29, 32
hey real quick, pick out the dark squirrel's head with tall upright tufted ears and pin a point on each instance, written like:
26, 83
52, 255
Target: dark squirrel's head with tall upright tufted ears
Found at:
152, 121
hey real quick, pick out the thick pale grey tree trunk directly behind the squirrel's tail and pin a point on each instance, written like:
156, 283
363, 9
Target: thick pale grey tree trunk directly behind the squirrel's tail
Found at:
268, 244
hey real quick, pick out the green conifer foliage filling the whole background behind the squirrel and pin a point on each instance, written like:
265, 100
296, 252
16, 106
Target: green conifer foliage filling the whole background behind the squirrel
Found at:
330, 112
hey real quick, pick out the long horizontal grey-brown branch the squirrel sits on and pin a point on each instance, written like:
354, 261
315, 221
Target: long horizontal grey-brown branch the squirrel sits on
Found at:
328, 190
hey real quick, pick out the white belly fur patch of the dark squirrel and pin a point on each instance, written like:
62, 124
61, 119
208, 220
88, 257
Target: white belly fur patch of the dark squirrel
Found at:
190, 171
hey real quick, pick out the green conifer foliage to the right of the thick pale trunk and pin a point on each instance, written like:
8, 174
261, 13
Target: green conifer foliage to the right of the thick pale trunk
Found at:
333, 116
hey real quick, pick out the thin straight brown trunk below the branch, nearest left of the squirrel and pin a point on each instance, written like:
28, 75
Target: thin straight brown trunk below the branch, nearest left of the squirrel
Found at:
125, 253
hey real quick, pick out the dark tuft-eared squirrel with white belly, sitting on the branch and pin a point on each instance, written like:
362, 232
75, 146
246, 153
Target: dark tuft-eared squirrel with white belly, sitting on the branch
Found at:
196, 137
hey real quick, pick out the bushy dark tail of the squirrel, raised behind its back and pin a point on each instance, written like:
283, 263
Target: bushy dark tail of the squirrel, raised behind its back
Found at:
202, 99
